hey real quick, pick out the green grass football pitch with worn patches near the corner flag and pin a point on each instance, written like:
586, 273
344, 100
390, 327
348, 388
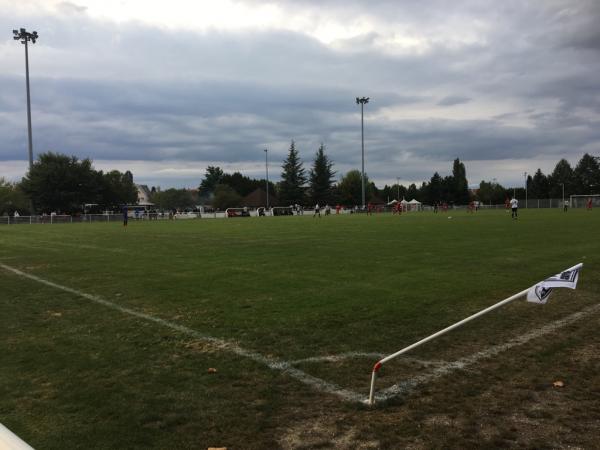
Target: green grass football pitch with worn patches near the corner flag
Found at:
262, 332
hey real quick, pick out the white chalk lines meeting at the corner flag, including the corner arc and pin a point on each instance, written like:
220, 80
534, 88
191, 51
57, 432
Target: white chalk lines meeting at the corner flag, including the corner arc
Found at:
396, 390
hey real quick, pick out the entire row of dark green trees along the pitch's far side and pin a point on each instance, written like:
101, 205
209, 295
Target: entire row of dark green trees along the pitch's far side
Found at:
63, 184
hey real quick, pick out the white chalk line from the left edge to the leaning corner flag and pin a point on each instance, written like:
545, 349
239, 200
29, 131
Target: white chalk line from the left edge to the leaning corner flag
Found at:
272, 363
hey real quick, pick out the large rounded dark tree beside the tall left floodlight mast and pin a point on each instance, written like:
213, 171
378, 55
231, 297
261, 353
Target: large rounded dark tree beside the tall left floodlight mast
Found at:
61, 183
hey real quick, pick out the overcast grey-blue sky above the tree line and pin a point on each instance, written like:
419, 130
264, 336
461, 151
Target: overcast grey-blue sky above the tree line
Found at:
166, 88
